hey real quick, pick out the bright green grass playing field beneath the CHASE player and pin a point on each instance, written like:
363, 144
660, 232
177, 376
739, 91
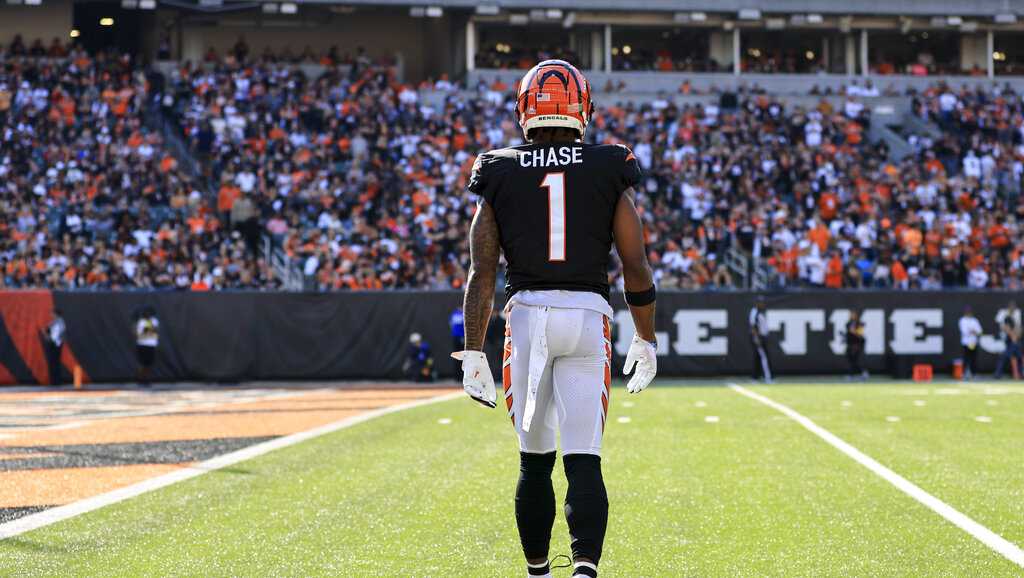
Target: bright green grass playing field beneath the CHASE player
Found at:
750, 494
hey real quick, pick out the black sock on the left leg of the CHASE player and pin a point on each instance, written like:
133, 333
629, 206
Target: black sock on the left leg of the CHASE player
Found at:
535, 504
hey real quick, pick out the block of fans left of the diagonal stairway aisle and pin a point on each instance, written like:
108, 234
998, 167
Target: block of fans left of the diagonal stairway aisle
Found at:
90, 196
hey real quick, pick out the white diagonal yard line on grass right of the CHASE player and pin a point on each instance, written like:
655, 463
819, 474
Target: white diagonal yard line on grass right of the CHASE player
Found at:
1008, 550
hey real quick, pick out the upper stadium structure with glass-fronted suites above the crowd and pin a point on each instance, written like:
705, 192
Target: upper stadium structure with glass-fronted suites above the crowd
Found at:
707, 40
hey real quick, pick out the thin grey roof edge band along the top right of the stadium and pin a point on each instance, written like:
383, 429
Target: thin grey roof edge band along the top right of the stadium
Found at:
992, 9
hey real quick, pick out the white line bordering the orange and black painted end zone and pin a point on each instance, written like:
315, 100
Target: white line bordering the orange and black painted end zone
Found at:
59, 514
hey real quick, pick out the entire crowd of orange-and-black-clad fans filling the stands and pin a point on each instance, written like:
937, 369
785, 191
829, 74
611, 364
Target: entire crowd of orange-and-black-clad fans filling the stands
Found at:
362, 181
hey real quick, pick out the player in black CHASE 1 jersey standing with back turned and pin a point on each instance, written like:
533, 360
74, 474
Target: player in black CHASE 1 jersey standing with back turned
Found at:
554, 208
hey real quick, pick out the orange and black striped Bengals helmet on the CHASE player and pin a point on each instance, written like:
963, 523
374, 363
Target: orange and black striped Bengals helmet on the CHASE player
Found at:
554, 94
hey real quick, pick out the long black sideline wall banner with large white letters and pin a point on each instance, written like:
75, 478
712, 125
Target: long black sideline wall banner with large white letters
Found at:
250, 337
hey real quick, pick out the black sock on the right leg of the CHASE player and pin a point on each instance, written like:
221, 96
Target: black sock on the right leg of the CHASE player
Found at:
586, 506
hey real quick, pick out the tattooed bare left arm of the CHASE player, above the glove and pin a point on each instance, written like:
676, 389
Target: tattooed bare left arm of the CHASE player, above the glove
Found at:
480, 299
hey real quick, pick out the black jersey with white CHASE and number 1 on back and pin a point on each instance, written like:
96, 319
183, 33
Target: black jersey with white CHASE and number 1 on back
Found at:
554, 205
